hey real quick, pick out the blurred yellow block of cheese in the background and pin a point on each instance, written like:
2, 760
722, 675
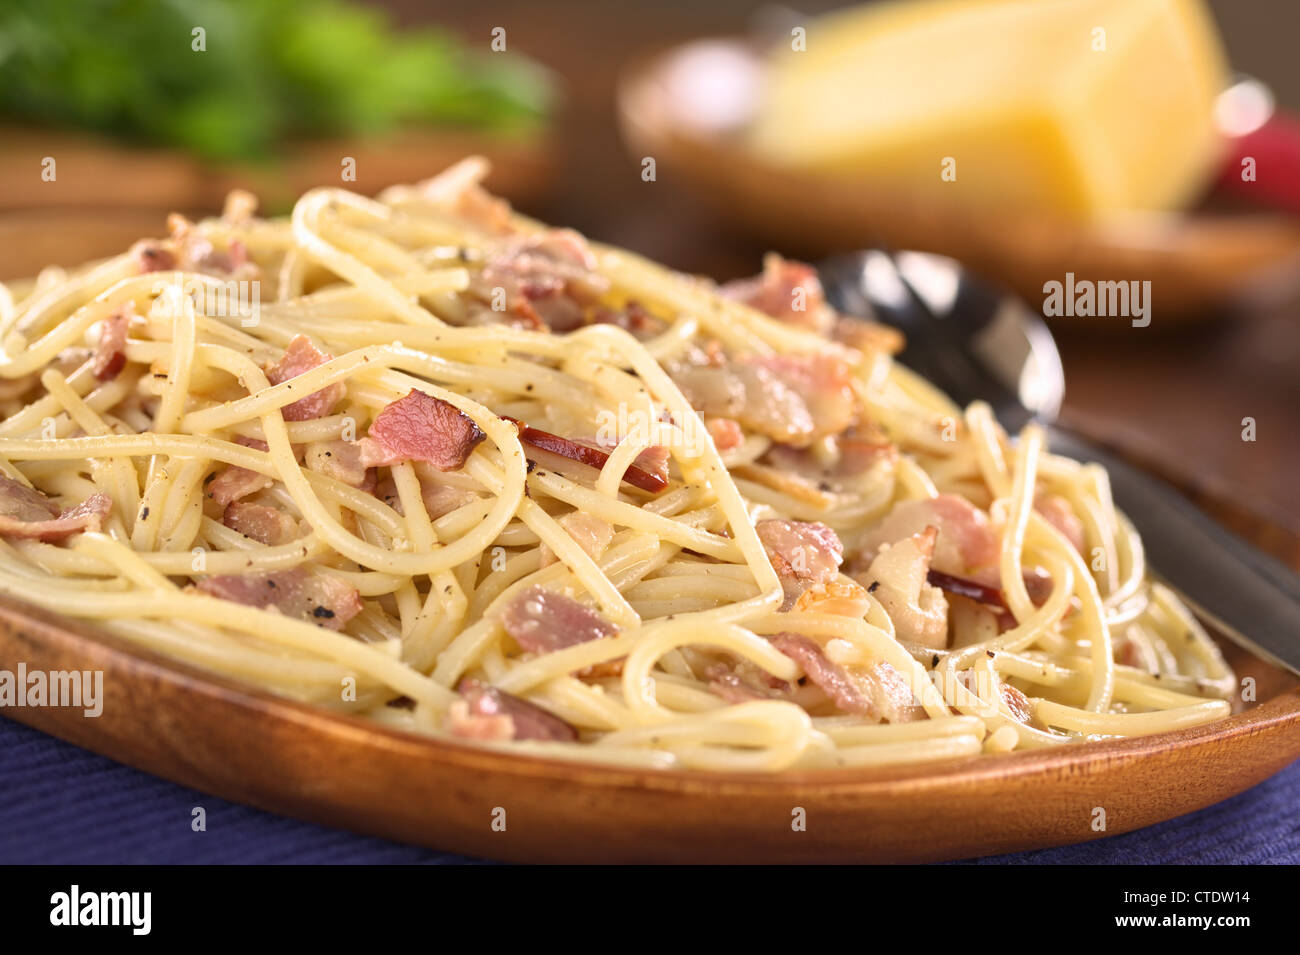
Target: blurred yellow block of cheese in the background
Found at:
1077, 108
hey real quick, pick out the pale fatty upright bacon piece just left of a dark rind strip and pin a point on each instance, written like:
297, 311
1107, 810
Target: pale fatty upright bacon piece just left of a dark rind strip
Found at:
898, 579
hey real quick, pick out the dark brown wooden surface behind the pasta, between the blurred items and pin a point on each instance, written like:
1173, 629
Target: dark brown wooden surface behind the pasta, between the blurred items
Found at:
1176, 394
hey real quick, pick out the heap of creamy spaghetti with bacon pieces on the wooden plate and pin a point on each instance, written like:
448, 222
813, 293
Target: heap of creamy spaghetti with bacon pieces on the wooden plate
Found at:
426, 461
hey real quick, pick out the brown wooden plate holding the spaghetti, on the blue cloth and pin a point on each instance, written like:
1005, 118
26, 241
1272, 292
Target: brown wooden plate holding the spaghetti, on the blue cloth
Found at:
252, 748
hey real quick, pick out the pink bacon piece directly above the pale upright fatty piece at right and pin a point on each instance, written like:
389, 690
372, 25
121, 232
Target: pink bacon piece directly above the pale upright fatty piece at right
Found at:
967, 541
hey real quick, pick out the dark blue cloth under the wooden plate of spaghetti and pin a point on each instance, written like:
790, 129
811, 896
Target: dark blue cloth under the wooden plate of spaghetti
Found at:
63, 805
